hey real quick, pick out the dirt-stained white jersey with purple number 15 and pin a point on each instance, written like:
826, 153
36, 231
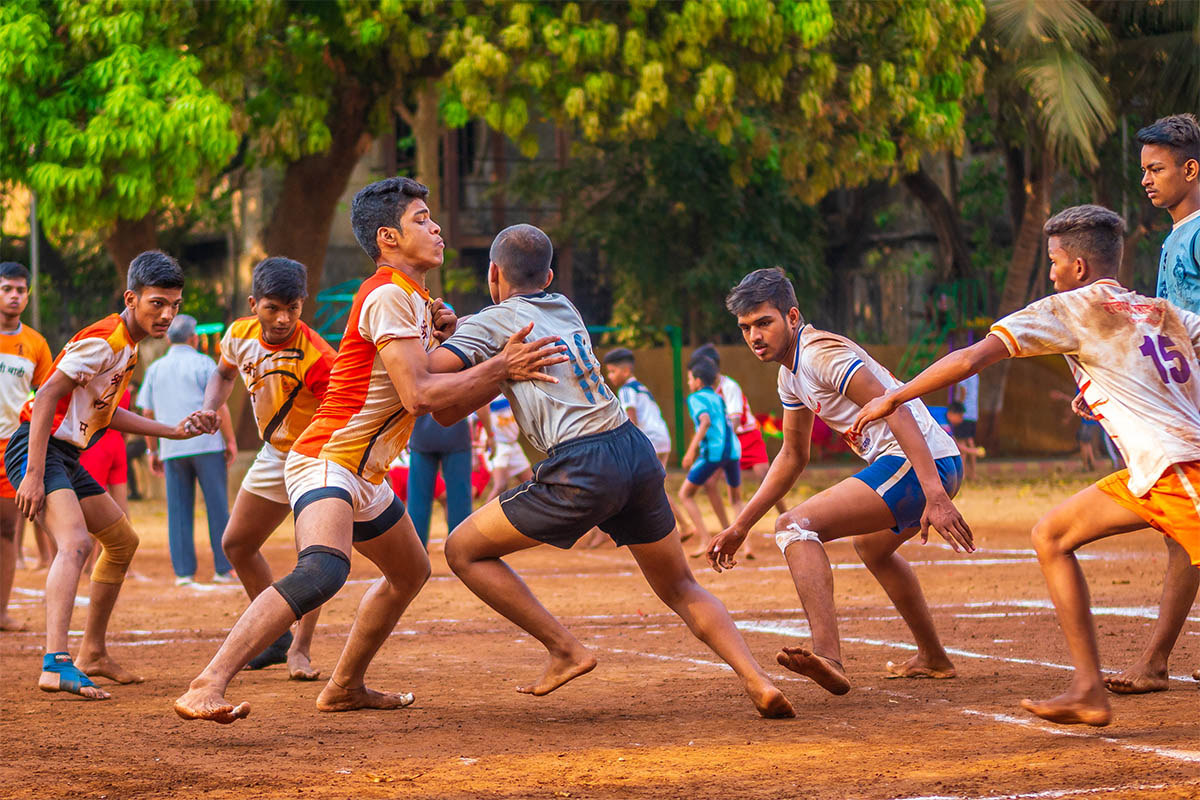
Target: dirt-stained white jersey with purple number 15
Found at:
1135, 359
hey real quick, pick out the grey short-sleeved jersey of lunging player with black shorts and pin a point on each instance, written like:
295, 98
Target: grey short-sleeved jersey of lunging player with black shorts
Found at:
581, 404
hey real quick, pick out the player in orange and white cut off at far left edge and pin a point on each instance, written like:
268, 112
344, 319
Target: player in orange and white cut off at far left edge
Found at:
25, 365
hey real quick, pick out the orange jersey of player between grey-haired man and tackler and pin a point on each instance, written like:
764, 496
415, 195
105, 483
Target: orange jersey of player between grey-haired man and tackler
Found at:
286, 382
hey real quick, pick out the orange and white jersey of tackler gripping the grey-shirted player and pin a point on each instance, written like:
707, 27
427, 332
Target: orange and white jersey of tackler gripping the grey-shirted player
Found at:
362, 424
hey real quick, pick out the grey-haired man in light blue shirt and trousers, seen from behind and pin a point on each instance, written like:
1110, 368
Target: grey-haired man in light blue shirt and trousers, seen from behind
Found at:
175, 388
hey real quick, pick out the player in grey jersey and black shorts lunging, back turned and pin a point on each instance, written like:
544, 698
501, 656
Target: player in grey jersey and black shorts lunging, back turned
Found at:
601, 471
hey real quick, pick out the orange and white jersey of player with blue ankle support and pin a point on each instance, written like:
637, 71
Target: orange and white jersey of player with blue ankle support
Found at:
100, 359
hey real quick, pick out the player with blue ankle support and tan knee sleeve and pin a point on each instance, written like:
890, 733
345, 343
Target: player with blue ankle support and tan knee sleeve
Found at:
74, 408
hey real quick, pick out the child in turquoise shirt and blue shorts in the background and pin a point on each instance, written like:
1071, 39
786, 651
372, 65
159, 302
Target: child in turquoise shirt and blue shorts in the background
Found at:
713, 447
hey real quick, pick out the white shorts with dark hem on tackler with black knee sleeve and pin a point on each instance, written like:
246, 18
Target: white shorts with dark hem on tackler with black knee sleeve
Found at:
376, 507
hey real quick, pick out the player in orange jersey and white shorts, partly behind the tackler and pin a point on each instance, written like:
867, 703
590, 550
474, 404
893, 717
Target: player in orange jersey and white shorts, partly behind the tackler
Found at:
285, 366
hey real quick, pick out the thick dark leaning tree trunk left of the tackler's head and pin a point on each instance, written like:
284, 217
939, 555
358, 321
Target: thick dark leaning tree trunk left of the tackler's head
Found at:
313, 188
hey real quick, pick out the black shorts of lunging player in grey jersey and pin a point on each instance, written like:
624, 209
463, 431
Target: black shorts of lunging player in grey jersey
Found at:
613, 480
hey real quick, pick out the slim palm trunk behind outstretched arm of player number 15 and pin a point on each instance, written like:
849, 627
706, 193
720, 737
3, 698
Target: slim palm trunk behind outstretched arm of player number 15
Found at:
1027, 256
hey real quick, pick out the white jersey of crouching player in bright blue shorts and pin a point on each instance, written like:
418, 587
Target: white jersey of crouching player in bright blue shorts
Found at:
818, 378
